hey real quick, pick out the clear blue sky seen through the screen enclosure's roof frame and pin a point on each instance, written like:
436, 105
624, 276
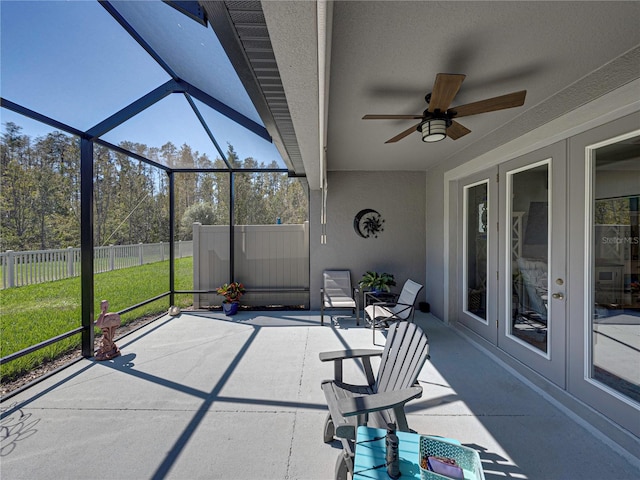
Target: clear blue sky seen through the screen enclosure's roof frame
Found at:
70, 60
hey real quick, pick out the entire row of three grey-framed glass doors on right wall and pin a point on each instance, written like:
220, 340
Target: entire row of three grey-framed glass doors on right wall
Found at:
549, 264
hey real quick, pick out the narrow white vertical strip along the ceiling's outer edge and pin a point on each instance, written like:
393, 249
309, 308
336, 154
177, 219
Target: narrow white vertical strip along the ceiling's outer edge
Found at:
324, 25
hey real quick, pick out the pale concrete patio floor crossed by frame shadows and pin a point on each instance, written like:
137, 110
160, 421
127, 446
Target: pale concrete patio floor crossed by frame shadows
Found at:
202, 395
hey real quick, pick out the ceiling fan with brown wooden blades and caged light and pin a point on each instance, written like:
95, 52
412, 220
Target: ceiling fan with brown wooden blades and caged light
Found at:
437, 121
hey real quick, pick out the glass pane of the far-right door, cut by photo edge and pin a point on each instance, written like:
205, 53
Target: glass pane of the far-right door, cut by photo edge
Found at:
615, 267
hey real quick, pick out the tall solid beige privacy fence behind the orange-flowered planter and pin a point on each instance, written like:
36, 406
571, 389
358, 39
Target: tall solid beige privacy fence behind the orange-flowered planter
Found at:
272, 261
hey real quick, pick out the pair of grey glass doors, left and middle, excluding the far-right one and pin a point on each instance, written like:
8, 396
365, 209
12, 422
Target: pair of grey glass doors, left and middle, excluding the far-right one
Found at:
513, 263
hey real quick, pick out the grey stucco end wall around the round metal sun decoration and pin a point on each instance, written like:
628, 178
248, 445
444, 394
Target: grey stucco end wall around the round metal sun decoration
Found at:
399, 197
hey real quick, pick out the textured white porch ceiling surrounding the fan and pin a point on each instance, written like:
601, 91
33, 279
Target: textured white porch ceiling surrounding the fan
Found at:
384, 56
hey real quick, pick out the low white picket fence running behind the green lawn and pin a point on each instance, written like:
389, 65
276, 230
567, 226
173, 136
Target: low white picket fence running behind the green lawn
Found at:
37, 266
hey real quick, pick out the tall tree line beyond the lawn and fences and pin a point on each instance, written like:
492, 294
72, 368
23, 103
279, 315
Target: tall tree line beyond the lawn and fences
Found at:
40, 192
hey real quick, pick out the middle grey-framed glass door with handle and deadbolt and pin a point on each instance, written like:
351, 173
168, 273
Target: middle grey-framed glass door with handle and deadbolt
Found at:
532, 267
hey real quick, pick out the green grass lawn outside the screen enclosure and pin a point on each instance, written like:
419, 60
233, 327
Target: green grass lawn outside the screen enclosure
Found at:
35, 313
